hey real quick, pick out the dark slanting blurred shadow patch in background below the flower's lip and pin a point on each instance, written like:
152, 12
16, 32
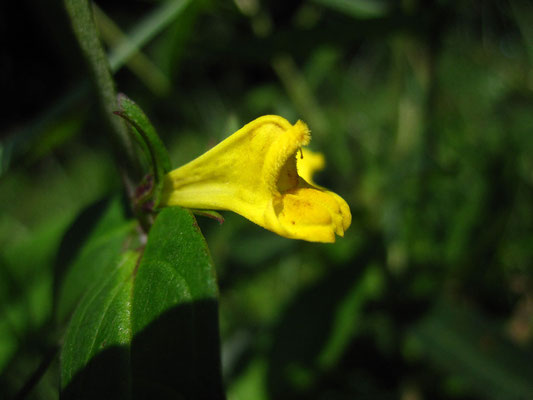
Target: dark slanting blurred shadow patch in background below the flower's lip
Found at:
306, 324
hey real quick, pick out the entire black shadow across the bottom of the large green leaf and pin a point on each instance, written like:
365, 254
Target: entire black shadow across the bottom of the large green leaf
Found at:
177, 356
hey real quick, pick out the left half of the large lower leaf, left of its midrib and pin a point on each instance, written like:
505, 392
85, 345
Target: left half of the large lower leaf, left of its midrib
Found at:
95, 359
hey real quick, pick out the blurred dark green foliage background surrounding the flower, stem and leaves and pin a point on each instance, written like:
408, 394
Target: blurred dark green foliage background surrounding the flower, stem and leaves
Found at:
424, 111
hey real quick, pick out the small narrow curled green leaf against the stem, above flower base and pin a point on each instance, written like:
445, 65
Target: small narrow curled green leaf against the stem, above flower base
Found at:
148, 139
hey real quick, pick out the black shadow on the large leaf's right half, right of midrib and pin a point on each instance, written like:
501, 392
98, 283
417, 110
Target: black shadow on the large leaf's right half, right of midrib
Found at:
179, 353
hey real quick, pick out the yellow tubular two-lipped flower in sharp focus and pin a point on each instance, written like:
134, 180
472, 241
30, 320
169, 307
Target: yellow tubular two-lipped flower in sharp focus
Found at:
253, 173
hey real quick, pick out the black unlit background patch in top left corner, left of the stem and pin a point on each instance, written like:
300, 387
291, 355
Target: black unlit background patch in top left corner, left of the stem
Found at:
47, 69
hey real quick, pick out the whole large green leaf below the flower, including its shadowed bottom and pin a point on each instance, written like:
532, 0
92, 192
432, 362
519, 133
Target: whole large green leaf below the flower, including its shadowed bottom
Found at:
151, 332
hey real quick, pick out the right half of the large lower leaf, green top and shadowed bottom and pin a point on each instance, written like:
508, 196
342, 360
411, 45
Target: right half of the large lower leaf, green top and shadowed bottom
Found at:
174, 312
